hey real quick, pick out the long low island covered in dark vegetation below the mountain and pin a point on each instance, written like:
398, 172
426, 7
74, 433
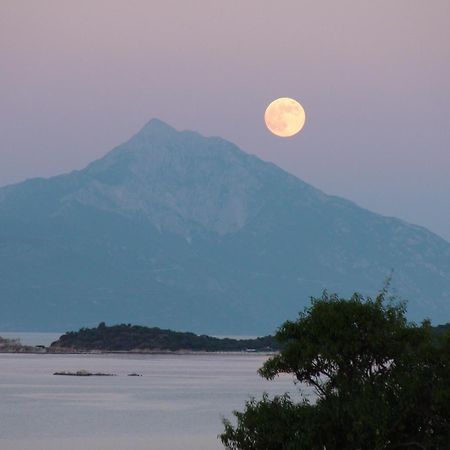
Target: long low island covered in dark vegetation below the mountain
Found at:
135, 338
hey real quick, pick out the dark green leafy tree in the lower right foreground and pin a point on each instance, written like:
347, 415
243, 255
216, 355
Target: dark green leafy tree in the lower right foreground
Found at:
380, 382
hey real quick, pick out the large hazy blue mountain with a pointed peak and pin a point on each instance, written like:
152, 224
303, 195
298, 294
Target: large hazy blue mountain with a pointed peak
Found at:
175, 230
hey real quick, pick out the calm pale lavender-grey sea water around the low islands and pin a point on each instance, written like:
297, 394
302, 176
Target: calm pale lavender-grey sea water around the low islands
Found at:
178, 403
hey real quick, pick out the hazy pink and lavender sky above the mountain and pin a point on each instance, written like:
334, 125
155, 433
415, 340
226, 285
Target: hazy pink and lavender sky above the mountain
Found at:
79, 77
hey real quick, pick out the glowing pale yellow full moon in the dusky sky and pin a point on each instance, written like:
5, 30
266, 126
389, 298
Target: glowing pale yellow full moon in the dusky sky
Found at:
285, 117
